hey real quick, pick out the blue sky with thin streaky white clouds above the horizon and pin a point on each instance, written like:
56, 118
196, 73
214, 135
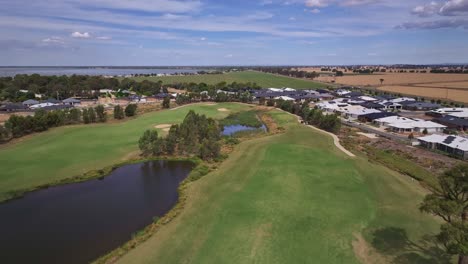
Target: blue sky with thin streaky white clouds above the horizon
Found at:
208, 32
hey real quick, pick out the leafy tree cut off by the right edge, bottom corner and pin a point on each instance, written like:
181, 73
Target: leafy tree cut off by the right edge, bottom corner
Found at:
449, 201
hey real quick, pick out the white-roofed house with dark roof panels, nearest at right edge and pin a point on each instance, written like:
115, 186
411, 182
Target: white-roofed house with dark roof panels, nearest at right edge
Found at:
453, 145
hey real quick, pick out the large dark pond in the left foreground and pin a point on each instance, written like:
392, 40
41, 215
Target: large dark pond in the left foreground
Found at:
77, 223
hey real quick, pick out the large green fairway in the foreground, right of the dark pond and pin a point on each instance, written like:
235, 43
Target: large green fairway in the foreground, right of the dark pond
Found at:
289, 198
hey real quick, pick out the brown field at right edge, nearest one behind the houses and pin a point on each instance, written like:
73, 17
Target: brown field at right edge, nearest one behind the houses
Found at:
429, 92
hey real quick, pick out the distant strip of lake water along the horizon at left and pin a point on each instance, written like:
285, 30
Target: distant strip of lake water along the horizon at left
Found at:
94, 71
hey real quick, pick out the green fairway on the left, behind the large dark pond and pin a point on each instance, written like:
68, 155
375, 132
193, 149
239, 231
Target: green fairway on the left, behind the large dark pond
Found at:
69, 151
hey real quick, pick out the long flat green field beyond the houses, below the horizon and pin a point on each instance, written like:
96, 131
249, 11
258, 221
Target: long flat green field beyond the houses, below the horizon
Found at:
264, 80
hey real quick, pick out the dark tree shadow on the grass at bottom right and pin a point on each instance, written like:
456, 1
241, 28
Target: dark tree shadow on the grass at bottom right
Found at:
394, 242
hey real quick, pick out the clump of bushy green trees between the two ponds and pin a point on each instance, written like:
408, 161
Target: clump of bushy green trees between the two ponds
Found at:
196, 136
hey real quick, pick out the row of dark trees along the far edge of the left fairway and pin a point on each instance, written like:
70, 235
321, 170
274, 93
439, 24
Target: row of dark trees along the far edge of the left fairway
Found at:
17, 126
